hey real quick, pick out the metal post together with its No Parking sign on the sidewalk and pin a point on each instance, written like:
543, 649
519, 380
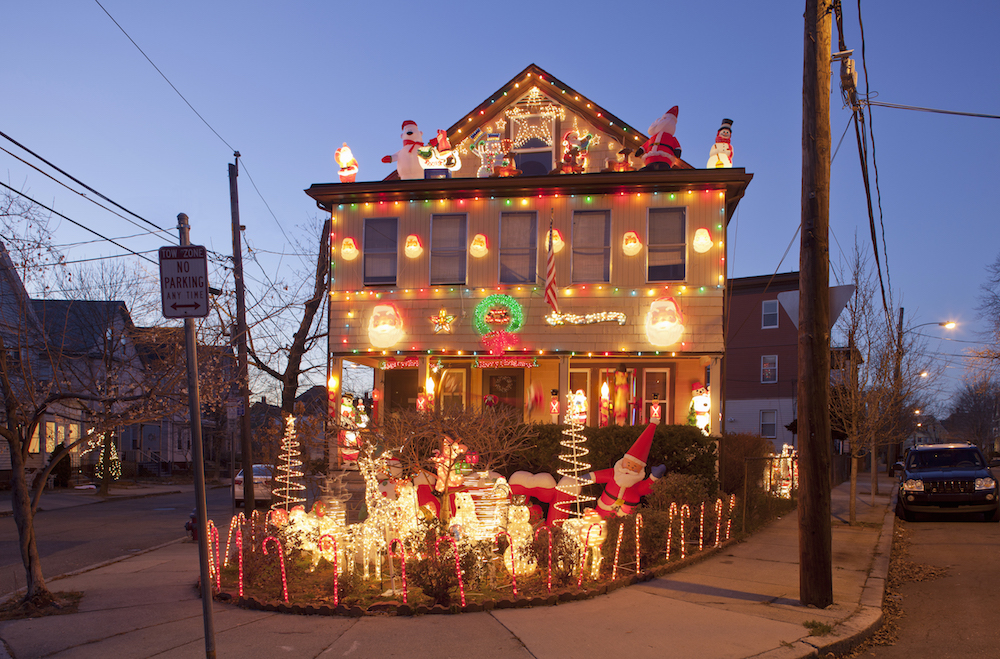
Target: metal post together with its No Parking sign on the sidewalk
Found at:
184, 291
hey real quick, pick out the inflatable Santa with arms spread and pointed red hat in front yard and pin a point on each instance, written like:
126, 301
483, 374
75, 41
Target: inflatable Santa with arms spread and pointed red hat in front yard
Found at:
626, 482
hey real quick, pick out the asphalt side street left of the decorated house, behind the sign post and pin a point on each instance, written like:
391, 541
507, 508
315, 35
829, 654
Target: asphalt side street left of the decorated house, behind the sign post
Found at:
73, 538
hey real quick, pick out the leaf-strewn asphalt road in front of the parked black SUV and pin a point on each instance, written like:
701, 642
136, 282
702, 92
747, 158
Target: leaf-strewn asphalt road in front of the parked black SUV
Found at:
952, 615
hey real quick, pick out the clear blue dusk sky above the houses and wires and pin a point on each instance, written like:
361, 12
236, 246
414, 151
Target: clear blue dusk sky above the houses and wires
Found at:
285, 84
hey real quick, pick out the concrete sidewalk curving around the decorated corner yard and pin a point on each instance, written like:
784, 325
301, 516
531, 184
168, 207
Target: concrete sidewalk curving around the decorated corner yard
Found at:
741, 602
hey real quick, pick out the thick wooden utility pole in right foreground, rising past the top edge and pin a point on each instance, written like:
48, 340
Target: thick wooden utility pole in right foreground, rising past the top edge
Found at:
815, 537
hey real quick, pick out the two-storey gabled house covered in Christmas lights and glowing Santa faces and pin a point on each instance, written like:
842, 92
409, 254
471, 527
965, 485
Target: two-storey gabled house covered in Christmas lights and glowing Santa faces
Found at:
439, 283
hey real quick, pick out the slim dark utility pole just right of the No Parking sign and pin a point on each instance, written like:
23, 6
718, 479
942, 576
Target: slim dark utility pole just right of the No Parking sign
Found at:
240, 339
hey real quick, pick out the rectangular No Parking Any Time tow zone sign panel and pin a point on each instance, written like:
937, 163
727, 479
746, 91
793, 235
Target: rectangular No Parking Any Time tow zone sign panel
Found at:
184, 281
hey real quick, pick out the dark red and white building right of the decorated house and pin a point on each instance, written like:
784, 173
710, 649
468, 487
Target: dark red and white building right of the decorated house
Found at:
762, 355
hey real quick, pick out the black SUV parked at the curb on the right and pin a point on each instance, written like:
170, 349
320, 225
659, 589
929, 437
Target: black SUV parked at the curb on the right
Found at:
946, 478
